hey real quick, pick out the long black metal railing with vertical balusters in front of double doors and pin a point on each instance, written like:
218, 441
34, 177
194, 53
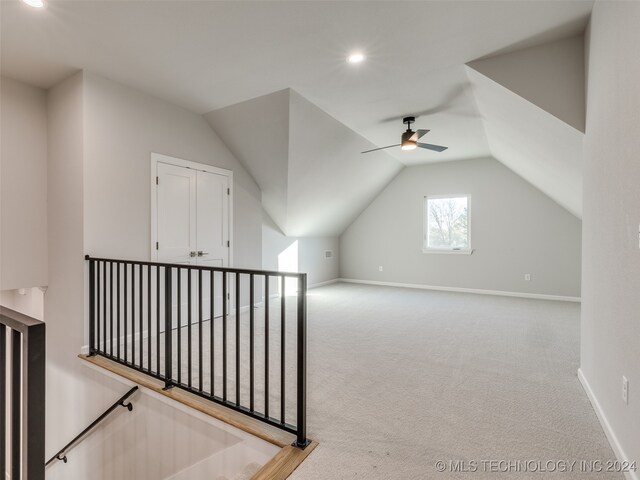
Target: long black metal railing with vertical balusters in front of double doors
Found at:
233, 336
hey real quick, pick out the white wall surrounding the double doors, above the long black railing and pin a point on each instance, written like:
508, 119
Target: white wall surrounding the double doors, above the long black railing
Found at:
122, 127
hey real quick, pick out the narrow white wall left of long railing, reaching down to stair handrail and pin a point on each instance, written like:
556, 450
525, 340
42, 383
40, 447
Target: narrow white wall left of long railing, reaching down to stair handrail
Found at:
74, 395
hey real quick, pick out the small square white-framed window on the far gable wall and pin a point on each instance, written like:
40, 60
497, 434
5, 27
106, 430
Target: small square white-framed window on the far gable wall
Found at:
446, 224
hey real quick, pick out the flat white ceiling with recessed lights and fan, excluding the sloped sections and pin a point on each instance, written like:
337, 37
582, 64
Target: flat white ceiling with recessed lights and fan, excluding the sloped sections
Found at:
207, 55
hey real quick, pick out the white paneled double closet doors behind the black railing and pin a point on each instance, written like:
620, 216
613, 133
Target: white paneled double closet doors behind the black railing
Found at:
193, 229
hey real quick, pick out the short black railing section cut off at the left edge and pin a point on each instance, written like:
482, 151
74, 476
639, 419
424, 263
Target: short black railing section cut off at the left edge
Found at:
22, 407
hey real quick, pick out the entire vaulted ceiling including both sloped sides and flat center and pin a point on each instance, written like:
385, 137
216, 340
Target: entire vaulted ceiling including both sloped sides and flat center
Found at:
421, 59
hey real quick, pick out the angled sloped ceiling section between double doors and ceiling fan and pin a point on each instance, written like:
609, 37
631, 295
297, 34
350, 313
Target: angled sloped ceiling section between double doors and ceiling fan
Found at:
313, 178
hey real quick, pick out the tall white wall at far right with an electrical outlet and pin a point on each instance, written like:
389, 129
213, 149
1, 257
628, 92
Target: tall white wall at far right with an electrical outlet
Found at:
611, 257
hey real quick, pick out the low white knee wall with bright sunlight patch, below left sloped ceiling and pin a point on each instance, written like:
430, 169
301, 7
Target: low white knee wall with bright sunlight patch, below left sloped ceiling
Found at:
308, 252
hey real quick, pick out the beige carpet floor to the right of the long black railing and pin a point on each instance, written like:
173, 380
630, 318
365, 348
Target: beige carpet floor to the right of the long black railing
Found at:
399, 379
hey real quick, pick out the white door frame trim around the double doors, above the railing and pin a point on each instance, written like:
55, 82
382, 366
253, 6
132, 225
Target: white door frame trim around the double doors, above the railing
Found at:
157, 158
